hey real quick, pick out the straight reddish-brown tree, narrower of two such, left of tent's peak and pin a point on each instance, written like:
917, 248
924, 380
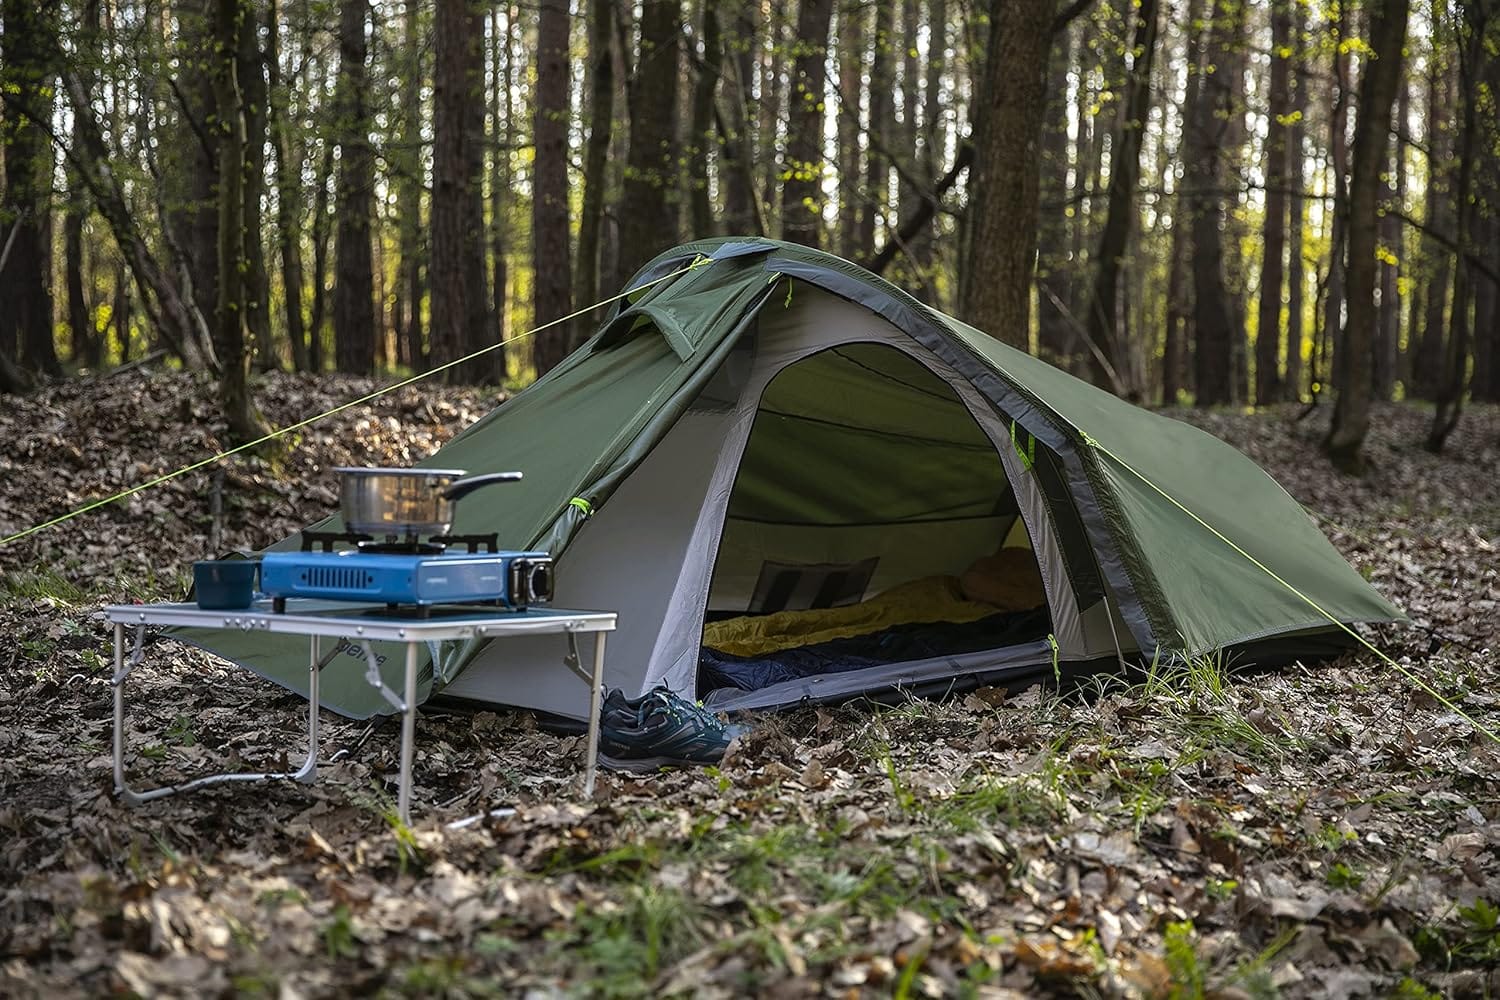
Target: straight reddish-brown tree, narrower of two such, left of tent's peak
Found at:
550, 215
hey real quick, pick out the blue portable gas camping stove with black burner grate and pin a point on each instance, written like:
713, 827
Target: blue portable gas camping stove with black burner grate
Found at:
407, 575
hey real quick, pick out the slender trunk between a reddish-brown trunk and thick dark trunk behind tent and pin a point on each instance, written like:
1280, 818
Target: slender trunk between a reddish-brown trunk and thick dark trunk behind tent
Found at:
601, 122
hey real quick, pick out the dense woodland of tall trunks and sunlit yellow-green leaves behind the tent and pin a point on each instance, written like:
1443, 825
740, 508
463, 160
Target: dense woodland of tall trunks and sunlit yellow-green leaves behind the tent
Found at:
1208, 202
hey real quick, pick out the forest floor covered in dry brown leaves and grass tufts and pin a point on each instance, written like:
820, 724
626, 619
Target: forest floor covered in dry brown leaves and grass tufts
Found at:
1316, 831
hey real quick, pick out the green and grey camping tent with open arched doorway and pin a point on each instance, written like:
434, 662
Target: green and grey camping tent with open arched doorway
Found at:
778, 436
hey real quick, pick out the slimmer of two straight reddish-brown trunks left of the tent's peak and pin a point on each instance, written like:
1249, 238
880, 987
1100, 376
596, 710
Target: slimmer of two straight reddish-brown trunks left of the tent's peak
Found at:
550, 217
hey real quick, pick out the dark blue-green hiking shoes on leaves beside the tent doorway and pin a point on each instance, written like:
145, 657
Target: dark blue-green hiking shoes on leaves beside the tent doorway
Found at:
661, 731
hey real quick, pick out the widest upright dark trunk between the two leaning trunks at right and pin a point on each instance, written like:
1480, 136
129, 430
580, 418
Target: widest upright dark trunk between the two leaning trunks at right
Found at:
1204, 179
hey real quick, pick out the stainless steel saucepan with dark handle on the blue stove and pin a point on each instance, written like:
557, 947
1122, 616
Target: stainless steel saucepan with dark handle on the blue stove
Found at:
406, 503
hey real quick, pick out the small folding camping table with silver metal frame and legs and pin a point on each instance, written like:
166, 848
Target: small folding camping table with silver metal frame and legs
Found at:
352, 626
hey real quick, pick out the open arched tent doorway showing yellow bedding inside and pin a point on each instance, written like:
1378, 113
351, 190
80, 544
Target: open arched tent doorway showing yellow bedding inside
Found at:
871, 522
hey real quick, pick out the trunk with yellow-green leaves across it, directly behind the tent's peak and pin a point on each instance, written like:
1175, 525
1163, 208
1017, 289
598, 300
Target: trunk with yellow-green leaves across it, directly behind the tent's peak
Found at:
803, 166
